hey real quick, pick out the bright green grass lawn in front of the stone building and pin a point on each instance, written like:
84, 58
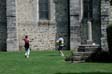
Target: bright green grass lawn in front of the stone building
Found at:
47, 62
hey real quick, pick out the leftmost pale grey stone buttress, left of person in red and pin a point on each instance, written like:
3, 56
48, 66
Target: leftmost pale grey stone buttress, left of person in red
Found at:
12, 38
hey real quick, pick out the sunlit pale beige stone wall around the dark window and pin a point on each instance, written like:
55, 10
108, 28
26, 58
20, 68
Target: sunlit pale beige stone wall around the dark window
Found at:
42, 33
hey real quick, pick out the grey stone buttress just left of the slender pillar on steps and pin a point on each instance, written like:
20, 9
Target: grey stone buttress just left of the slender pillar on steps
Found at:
75, 11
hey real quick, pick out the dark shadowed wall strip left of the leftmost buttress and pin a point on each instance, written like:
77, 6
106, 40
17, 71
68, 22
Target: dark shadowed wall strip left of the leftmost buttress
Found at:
3, 25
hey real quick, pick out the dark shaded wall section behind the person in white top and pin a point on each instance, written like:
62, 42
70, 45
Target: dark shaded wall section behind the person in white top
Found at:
62, 21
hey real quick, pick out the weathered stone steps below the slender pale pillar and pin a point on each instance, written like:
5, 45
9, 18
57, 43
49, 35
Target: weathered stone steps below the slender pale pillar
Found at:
83, 53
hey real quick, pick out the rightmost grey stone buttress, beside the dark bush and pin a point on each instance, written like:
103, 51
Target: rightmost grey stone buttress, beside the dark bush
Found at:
104, 23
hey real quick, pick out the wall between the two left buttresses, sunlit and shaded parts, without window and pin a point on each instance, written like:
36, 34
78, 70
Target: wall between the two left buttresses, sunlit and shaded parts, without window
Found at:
42, 34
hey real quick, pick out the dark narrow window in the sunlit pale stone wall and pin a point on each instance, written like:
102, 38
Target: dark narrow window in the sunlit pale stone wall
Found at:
43, 9
